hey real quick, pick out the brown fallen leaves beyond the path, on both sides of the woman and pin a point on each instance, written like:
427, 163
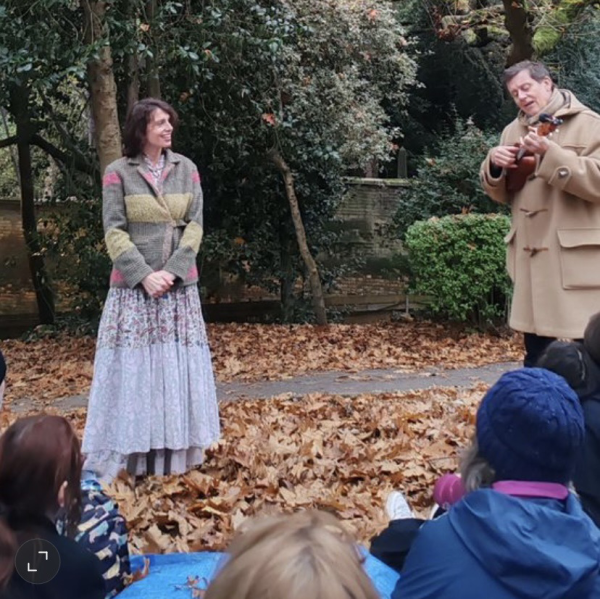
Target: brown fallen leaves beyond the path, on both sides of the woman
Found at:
61, 366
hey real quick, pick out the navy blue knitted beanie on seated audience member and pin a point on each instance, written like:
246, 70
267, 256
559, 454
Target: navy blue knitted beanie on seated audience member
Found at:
530, 427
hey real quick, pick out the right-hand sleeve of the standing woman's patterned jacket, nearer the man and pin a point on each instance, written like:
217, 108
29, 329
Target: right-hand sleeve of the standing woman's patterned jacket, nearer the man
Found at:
183, 259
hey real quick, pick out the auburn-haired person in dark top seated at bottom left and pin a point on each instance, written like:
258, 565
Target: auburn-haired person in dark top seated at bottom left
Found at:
40, 469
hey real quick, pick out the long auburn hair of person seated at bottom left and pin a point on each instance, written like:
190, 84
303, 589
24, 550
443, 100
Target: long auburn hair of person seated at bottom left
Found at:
37, 455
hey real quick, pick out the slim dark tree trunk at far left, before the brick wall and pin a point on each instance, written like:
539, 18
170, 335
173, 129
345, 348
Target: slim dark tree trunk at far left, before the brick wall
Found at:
25, 130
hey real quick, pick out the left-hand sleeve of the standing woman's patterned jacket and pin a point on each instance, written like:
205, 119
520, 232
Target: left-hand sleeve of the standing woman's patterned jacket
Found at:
125, 256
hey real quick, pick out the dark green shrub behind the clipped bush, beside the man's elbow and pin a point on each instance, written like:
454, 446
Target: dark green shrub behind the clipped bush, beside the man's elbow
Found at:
447, 181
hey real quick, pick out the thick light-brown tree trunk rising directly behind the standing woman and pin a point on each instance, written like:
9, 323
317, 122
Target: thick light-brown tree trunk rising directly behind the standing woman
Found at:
102, 87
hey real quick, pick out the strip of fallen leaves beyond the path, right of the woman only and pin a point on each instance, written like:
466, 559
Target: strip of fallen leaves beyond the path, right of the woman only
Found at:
273, 352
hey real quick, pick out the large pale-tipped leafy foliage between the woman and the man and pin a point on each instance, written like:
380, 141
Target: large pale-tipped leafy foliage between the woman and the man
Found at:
315, 77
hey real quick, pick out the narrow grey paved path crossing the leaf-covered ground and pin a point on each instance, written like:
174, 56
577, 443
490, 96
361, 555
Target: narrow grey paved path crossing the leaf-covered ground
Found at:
340, 383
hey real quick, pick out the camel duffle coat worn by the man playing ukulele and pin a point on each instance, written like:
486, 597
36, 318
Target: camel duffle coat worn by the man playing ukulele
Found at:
553, 247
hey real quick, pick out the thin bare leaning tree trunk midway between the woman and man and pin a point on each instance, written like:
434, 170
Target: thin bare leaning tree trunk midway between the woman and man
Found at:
314, 277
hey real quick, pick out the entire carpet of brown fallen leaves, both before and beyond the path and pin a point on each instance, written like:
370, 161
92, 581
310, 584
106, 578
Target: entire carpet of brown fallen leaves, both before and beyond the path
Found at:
317, 451
